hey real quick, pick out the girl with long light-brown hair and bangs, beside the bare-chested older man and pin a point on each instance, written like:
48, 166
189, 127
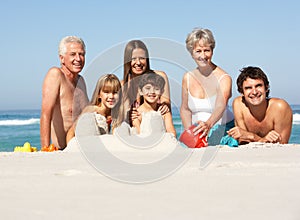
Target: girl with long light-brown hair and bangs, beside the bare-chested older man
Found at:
104, 104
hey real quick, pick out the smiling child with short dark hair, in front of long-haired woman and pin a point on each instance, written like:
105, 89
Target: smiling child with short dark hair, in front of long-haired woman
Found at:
151, 87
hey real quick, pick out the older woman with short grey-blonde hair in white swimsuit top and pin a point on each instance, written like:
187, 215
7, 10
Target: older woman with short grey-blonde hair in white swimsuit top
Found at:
206, 91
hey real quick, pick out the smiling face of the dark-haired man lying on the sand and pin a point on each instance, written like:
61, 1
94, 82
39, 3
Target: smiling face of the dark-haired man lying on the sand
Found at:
254, 91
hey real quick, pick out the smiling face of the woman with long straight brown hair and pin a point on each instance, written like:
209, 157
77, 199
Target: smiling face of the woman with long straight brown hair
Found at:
138, 61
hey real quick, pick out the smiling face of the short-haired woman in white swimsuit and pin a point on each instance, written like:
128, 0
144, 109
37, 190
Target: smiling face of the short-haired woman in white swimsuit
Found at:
202, 53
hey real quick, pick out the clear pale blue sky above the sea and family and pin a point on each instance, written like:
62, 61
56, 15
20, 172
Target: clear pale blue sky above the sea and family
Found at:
247, 33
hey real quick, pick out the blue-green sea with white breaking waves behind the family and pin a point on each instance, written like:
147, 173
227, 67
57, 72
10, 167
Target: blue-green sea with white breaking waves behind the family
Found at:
20, 126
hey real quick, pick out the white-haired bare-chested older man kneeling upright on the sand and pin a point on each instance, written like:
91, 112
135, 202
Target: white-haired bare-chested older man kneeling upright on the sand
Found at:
64, 93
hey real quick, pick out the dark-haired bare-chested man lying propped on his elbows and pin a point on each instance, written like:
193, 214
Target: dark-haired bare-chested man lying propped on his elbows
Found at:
259, 118
